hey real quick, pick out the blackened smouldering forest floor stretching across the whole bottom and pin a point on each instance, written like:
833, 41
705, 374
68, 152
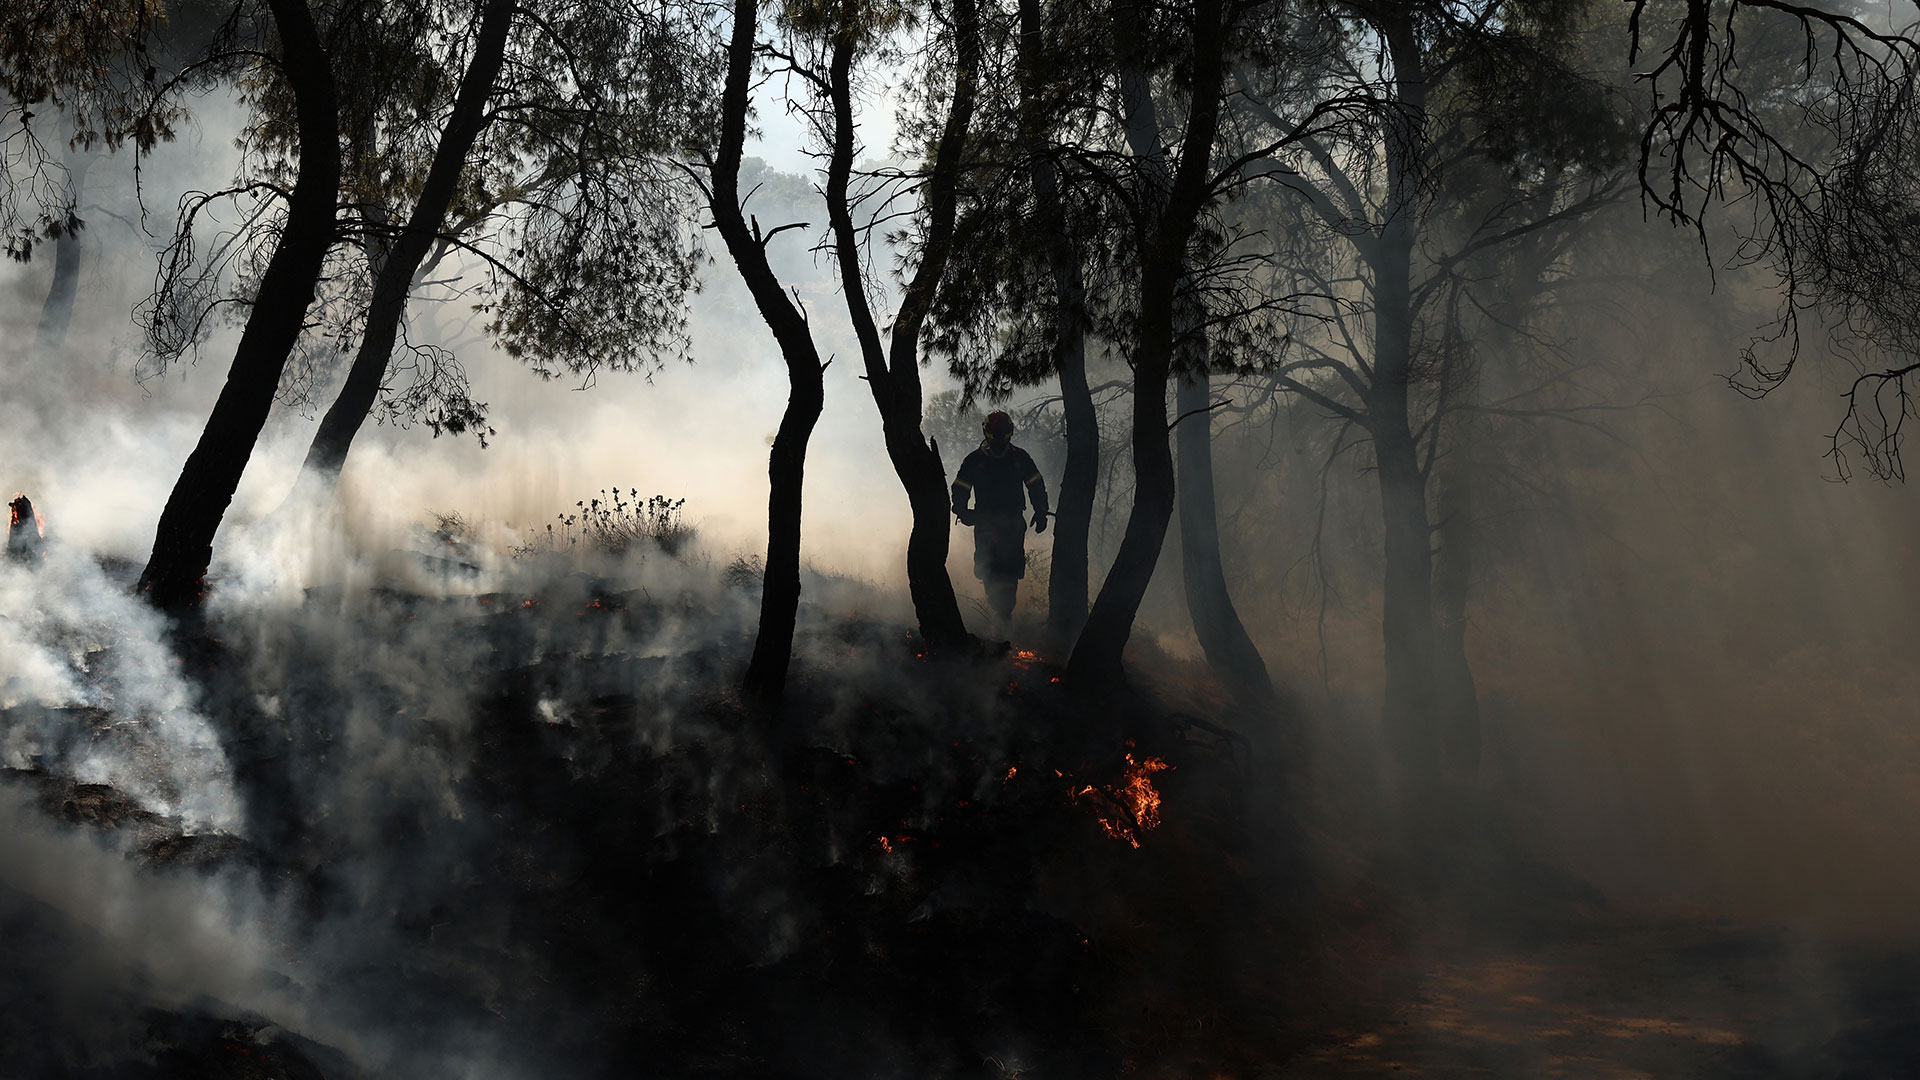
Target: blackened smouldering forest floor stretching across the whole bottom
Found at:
590, 858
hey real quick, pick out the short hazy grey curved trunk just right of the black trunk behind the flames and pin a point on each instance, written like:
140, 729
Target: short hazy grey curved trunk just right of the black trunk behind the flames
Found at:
1230, 650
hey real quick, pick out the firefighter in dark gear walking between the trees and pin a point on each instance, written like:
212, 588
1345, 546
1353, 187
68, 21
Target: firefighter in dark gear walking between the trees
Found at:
994, 478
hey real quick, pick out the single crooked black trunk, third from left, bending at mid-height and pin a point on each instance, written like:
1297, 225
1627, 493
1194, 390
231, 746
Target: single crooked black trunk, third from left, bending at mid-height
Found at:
786, 470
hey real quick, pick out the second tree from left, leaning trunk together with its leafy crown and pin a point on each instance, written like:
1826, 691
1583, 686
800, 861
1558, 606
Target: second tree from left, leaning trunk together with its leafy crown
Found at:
573, 226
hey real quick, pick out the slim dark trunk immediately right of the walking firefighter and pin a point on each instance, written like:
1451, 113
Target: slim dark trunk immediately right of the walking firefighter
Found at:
1067, 581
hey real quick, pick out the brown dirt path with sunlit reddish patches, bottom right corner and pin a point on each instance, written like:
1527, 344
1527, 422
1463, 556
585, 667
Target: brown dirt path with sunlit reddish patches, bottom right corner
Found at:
1685, 1000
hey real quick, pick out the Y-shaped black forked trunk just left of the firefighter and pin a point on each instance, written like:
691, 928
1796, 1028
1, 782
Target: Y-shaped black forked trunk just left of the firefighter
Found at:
894, 370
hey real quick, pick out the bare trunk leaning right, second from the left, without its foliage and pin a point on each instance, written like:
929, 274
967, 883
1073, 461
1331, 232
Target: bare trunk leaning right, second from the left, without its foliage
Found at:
402, 262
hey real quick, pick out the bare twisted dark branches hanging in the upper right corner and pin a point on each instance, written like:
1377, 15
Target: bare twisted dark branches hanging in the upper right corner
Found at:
1819, 157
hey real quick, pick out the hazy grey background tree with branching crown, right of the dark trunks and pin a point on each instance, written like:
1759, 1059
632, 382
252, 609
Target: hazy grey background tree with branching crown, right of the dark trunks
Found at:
1466, 101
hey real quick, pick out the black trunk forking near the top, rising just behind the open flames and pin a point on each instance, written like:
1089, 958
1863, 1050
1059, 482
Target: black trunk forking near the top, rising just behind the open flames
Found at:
1103, 643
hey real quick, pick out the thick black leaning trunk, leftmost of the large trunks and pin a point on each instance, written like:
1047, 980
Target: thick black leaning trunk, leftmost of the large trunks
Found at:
183, 545
